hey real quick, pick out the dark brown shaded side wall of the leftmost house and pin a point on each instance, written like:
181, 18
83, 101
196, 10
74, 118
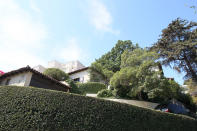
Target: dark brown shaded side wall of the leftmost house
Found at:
38, 81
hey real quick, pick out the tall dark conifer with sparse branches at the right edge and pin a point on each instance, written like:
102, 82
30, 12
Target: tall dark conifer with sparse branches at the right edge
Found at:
177, 47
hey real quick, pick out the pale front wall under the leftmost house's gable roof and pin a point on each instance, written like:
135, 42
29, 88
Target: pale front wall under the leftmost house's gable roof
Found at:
18, 80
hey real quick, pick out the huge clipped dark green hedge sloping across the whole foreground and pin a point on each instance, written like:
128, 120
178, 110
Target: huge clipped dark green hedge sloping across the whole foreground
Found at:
28, 108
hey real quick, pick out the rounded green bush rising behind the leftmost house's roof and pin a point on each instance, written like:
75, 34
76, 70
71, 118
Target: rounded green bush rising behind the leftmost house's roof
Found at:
56, 74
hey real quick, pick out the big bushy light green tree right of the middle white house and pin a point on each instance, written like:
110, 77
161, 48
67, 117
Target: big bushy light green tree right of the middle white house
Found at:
137, 75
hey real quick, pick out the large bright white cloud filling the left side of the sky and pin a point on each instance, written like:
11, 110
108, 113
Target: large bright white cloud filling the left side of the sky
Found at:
21, 36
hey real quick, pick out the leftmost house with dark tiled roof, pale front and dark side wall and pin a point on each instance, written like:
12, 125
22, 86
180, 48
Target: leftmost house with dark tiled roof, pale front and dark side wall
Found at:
29, 77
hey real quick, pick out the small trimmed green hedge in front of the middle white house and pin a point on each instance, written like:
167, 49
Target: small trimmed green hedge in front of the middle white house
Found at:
91, 87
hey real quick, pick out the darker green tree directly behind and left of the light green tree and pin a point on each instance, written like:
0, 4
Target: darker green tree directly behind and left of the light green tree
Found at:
104, 68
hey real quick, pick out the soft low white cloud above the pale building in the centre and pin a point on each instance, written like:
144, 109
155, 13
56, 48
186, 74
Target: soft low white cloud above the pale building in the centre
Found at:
72, 51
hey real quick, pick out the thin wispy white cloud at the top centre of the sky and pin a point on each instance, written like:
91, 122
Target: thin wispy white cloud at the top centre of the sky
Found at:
100, 17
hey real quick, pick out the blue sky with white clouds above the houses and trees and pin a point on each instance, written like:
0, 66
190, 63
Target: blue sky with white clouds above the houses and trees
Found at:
34, 32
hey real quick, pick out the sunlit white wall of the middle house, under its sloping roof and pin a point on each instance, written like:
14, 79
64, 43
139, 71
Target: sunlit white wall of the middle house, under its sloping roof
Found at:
84, 76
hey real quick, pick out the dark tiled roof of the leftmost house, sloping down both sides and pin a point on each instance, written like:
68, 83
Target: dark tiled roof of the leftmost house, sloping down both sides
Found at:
29, 69
